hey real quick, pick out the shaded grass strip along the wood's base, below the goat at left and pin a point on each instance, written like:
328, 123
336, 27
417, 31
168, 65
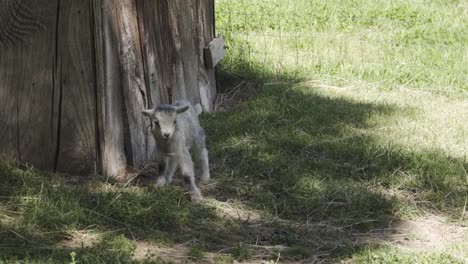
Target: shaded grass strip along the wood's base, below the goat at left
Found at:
40, 213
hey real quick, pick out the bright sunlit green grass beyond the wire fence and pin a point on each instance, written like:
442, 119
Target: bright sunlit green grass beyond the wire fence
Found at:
414, 44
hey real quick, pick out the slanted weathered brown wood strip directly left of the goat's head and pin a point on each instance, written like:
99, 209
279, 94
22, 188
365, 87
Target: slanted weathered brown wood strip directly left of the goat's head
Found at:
136, 135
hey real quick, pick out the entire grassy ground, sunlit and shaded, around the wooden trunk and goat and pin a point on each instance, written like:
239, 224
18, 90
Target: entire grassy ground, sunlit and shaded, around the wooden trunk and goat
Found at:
352, 122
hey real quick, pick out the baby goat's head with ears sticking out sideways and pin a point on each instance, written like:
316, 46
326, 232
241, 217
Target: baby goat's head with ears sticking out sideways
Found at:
164, 119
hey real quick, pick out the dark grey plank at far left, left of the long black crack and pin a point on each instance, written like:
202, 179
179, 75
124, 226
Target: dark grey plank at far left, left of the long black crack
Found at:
37, 118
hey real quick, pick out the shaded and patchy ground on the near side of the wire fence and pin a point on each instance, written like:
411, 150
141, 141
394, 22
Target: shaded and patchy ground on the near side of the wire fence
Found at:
350, 193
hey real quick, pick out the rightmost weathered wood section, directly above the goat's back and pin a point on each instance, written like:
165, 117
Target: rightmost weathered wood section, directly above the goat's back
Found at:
192, 81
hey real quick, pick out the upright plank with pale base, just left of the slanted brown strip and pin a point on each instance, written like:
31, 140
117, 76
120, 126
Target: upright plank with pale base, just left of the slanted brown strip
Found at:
112, 159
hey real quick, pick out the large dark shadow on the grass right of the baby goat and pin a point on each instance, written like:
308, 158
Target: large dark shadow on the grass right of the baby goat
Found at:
301, 158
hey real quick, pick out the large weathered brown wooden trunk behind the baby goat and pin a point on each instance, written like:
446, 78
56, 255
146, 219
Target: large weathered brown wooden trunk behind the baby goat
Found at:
75, 75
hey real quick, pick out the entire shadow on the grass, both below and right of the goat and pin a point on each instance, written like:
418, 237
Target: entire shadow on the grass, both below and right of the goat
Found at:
292, 154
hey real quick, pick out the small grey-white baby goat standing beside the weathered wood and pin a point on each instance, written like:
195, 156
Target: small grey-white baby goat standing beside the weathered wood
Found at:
177, 131
